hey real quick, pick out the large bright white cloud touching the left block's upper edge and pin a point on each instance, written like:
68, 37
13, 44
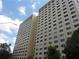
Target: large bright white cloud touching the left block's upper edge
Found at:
7, 24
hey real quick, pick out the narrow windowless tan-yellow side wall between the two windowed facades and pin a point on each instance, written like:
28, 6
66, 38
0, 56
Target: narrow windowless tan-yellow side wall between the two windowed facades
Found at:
31, 44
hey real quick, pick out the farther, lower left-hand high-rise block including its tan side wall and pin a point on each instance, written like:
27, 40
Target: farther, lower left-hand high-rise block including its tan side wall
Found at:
24, 38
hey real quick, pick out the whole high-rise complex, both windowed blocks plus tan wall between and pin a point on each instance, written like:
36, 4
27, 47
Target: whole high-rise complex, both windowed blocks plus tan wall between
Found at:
55, 24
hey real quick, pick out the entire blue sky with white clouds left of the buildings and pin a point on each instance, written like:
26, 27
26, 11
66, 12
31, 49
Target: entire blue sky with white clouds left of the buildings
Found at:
14, 12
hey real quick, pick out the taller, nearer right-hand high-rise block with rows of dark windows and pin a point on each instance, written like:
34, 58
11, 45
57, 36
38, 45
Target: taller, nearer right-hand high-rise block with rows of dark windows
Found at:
57, 21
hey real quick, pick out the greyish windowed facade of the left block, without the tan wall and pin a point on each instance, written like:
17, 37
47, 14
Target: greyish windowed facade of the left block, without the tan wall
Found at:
21, 45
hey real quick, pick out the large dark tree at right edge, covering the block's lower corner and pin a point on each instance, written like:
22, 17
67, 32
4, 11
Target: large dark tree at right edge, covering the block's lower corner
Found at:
72, 46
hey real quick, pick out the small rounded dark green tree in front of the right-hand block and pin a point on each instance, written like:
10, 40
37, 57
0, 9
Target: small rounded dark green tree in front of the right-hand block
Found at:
53, 53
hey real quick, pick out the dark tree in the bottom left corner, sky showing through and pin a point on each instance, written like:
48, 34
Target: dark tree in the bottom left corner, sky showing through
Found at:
5, 51
